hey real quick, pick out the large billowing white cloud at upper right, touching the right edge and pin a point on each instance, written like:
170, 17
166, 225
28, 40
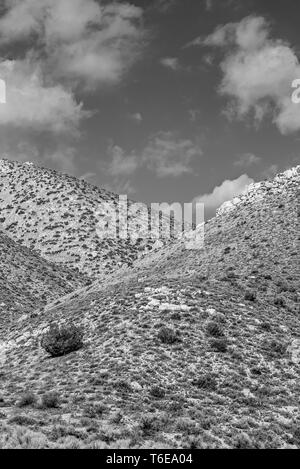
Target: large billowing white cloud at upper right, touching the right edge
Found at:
258, 72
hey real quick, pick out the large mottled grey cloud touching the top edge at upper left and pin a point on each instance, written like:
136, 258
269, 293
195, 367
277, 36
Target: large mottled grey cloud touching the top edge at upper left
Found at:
83, 41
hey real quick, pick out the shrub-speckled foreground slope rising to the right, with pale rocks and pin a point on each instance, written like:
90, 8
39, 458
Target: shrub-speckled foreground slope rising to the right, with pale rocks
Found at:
229, 379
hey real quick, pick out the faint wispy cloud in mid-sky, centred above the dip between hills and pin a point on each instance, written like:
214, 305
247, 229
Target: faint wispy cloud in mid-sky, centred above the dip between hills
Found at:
168, 155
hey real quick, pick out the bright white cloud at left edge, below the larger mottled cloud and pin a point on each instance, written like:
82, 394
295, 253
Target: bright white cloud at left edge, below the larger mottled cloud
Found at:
33, 104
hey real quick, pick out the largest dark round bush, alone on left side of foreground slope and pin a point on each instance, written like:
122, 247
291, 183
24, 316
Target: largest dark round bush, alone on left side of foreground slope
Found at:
61, 340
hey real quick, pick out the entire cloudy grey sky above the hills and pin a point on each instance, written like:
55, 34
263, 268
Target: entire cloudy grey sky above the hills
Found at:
163, 100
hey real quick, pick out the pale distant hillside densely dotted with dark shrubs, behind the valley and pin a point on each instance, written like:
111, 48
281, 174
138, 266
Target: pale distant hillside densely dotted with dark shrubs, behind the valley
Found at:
57, 215
